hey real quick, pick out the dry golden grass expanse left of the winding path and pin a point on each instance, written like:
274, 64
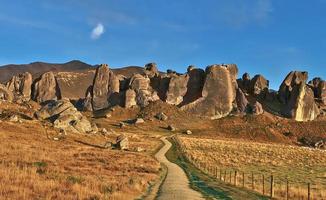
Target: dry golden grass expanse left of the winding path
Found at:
34, 166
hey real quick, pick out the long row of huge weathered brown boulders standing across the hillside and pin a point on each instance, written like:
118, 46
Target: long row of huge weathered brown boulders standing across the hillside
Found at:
215, 92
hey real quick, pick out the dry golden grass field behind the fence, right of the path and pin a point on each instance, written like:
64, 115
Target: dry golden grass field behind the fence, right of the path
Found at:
300, 165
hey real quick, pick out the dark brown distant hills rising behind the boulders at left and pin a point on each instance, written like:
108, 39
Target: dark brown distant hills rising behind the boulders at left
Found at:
74, 77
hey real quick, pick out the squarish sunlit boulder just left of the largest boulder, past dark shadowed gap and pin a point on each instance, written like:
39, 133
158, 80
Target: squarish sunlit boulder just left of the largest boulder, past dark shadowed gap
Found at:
177, 89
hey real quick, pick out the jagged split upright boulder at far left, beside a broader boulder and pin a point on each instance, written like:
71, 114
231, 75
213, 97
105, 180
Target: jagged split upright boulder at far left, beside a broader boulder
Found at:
21, 86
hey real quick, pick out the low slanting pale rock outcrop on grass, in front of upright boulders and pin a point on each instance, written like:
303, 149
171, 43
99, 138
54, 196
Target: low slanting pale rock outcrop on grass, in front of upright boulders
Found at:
65, 116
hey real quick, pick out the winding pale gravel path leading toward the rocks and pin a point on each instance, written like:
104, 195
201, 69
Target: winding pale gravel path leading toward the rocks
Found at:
176, 183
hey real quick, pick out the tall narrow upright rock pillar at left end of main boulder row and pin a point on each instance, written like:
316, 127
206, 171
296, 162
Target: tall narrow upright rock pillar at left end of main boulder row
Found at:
101, 85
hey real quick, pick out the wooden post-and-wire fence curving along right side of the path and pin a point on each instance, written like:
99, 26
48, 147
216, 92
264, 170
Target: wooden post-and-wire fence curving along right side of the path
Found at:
260, 183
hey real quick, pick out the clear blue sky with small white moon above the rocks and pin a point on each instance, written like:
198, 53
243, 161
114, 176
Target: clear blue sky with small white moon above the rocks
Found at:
270, 37
